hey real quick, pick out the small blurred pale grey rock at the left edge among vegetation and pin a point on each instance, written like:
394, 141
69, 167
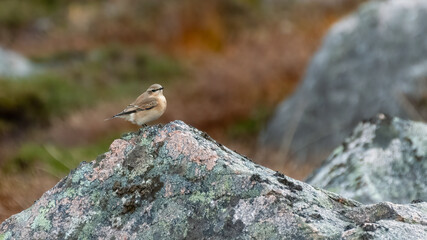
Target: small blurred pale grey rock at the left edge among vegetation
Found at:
13, 64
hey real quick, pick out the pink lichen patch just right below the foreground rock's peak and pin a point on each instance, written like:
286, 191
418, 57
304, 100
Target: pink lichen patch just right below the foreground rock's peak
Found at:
183, 143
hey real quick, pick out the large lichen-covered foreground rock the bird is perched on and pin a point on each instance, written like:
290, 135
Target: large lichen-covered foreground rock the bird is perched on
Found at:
174, 182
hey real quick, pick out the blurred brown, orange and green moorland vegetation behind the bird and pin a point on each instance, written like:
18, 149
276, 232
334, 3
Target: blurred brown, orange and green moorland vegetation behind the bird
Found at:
238, 58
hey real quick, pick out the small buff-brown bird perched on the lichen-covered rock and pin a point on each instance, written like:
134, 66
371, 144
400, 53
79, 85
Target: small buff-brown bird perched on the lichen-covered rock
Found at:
148, 107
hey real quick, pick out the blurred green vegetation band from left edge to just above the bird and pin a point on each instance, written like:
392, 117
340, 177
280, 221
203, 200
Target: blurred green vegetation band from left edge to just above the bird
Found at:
105, 73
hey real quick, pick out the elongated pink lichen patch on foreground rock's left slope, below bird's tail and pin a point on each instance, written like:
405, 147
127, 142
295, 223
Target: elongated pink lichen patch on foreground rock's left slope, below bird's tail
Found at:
114, 157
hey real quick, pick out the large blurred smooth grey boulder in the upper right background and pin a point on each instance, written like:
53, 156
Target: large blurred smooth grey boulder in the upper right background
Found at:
370, 62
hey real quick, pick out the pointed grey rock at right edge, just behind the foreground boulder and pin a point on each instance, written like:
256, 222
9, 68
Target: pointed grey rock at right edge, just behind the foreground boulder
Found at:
384, 160
